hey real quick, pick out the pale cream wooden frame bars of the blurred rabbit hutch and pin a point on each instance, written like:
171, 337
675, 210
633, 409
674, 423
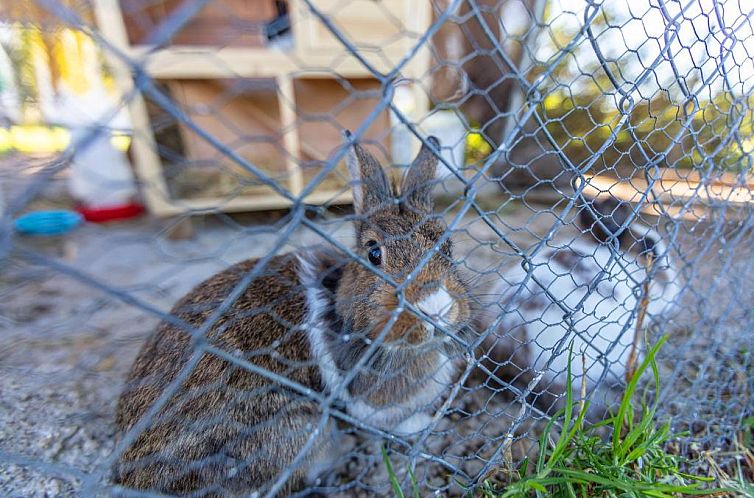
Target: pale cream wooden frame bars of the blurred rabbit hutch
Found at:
315, 54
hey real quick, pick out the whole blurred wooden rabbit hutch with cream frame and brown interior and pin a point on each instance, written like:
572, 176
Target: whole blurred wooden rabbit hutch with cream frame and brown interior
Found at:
266, 80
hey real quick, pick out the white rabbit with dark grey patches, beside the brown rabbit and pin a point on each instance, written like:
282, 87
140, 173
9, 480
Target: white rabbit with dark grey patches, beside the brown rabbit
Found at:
526, 325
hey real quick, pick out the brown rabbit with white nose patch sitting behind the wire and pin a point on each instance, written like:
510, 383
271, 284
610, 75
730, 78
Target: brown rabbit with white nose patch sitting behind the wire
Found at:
309, 317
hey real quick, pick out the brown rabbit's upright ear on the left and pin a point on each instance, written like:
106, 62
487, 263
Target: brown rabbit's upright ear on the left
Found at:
368, 180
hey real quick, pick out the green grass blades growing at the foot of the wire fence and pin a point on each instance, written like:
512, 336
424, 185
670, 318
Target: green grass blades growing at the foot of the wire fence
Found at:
581, 462
